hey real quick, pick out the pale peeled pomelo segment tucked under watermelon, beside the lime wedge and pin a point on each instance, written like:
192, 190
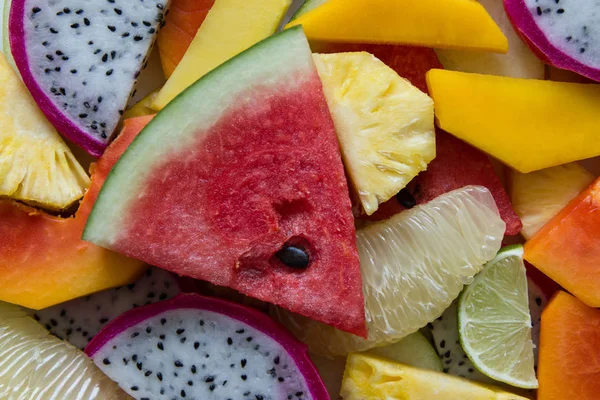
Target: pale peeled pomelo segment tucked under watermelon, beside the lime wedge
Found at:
413, 265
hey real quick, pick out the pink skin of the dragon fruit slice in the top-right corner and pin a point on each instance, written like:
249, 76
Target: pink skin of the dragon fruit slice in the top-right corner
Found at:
525, 25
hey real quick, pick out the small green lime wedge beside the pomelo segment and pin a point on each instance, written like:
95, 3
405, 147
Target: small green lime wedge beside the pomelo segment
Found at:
494, 321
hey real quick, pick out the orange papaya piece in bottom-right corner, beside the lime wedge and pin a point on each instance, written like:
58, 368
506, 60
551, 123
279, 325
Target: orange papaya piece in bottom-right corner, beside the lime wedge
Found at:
569, 356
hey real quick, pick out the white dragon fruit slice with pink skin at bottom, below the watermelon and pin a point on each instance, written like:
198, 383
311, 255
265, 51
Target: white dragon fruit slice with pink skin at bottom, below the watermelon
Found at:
204, 348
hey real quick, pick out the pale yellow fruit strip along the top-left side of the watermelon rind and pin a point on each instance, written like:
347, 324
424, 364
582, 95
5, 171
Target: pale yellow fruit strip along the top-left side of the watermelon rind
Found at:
230, 27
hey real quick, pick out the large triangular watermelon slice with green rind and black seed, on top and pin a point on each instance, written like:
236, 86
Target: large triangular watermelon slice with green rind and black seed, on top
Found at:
241, 165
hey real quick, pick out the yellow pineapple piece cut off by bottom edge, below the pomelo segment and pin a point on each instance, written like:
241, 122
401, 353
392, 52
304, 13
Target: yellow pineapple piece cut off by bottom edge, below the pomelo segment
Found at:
372, 378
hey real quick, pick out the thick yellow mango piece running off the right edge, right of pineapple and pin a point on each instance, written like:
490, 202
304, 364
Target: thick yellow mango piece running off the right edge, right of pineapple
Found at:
525, 123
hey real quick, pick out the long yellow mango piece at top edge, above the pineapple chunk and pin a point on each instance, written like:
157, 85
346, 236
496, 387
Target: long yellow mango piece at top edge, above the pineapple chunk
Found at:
455, 24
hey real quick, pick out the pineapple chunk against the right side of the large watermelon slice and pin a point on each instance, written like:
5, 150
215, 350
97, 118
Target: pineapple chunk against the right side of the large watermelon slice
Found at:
384, 124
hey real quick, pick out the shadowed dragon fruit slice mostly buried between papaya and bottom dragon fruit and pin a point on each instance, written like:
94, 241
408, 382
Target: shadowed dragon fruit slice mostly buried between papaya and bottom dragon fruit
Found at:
78, 321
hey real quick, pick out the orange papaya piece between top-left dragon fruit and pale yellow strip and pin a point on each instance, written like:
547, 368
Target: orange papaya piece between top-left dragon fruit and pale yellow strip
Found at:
181, 26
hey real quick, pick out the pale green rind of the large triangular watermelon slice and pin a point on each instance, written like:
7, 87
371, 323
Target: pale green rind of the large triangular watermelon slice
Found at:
277, 54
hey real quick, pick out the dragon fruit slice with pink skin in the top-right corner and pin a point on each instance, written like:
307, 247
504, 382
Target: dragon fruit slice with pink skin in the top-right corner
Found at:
561, 33
